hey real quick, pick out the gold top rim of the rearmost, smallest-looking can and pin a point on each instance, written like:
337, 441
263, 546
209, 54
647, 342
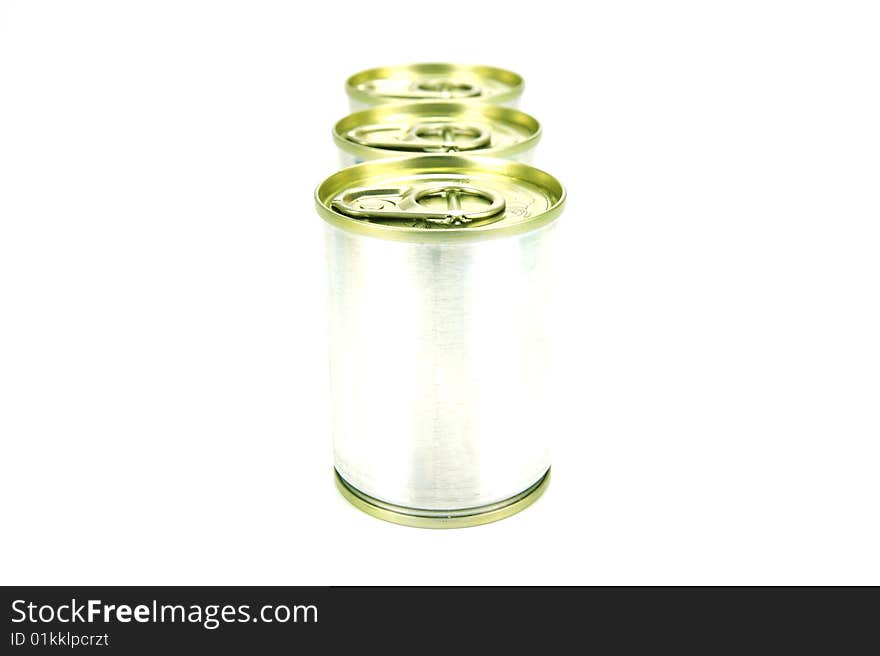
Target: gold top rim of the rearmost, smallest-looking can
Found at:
513, 81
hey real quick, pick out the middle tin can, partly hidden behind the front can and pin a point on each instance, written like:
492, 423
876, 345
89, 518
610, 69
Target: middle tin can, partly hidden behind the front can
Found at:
436, 127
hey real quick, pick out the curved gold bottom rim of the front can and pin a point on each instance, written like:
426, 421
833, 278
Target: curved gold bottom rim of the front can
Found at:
423, 518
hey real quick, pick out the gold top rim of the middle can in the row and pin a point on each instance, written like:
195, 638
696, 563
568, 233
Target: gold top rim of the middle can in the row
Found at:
492, 114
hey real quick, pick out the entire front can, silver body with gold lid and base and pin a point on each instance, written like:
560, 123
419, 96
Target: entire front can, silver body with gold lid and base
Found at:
440, 335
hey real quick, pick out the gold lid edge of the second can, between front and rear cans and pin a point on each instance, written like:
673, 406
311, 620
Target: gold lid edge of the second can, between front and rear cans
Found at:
438, 107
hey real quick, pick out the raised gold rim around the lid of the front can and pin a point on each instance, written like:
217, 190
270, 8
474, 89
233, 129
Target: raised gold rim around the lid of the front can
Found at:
490, 231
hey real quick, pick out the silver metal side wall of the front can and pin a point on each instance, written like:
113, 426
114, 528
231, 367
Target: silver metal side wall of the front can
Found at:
440, 358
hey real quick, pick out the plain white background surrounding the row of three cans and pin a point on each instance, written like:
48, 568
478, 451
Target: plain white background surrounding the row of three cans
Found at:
163, 373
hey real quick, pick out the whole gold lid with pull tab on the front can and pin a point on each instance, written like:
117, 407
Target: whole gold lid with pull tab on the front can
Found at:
440, 197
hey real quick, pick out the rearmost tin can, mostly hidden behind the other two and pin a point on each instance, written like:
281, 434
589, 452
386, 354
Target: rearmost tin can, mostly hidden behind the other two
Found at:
416, 82
